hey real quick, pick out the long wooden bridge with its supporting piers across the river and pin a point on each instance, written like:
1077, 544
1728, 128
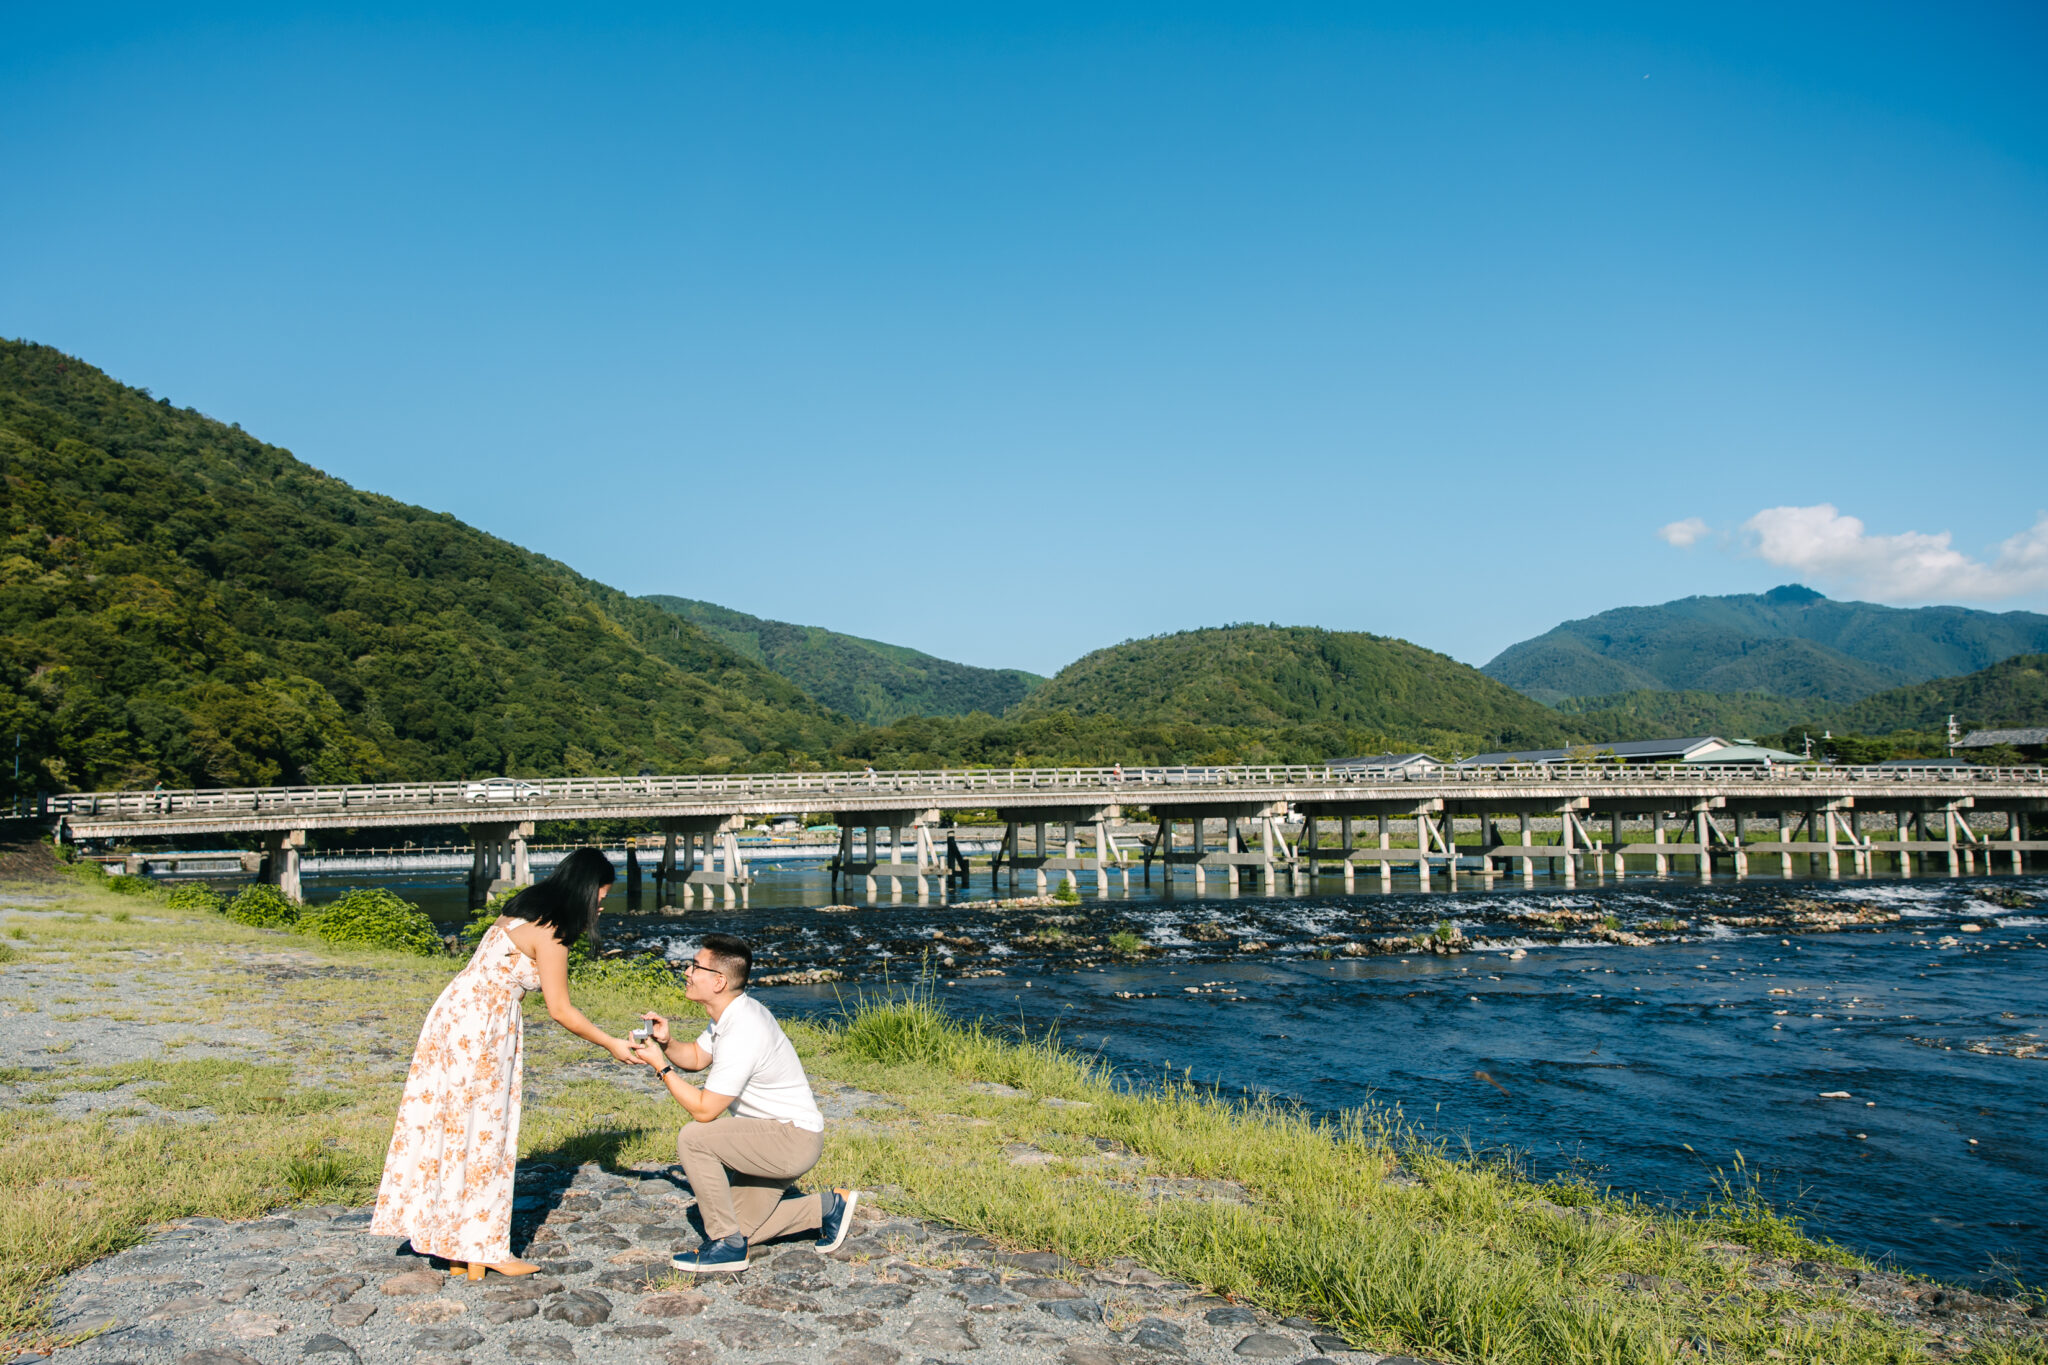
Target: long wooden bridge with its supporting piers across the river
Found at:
1068, 820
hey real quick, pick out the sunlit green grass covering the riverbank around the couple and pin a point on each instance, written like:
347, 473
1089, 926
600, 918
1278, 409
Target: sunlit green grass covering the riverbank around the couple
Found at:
1469, 1264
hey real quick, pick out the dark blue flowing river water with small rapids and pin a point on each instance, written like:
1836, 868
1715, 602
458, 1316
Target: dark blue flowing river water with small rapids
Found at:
1883, 1069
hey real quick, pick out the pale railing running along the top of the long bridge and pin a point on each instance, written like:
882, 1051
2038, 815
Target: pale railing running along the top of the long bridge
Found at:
529, 799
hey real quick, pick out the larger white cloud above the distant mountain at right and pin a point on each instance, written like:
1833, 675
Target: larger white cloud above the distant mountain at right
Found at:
1912, 566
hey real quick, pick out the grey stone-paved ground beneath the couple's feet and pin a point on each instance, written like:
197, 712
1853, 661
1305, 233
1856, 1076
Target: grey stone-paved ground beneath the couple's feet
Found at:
314, 1288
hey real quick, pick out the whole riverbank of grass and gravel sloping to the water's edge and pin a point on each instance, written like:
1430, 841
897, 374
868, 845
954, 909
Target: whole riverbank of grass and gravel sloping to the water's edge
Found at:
136, 1039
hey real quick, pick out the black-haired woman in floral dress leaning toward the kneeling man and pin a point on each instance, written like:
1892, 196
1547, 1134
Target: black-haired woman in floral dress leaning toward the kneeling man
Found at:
447, 1180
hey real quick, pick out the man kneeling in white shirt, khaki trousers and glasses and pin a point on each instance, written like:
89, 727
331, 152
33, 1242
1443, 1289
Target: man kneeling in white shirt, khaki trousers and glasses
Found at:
742, 1163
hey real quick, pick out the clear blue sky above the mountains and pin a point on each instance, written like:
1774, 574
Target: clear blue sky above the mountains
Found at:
1015, 333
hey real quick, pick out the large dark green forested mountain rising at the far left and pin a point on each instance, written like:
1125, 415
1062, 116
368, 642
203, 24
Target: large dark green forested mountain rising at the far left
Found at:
187, 605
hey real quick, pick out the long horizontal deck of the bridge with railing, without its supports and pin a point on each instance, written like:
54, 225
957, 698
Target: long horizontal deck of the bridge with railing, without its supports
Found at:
1046, 793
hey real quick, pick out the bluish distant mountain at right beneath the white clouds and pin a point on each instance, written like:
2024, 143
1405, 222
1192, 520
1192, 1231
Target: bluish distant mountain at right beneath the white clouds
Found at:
1791, 644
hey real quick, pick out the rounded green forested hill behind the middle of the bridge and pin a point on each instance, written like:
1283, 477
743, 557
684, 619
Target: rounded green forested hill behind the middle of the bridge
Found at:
1279, 676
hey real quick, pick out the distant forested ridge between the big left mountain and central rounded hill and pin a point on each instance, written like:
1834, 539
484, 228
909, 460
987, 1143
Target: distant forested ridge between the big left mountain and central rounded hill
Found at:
865, 680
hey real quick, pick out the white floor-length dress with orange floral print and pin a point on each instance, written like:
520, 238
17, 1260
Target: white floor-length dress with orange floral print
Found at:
447, 1178
